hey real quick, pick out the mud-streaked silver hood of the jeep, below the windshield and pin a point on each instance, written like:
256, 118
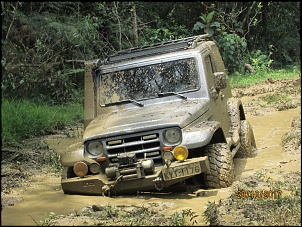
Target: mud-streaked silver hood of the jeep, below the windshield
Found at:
149, 117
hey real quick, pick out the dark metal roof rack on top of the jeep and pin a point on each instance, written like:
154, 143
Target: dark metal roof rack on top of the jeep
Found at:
153, 49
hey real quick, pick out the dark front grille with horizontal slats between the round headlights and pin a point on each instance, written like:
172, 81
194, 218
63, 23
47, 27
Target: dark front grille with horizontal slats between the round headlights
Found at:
143, 146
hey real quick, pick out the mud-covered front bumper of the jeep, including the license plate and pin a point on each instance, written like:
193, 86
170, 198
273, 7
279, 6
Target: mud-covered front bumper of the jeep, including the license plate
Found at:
162, 178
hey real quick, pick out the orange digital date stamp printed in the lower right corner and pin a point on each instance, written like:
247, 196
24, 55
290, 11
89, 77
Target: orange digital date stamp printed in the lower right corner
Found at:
258, 194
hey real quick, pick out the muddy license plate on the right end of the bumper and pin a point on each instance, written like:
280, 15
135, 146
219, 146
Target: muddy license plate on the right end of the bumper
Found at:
184, 170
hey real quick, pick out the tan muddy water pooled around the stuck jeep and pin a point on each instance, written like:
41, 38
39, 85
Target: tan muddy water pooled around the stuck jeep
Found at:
45, 196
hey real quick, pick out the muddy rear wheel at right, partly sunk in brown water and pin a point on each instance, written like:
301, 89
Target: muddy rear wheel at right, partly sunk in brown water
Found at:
248, 147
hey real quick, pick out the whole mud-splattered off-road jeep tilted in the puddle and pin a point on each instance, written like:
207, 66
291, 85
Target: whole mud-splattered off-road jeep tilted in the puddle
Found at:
156, 117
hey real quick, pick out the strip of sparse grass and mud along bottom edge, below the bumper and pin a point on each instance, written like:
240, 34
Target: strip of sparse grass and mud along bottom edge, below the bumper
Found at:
123, 216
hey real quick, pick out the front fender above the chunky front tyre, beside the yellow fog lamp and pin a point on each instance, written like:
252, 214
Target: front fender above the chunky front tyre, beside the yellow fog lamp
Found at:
200, 134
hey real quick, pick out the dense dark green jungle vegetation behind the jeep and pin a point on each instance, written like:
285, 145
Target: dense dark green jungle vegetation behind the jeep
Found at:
44, 44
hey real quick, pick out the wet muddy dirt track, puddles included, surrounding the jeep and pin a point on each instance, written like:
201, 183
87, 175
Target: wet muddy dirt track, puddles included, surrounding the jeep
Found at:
40, 194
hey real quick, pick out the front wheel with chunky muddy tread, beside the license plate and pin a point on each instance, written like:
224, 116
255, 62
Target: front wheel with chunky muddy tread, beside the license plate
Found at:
221, 173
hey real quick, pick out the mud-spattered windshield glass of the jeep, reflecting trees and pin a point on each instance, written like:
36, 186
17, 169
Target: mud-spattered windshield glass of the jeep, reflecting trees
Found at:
147, 82
